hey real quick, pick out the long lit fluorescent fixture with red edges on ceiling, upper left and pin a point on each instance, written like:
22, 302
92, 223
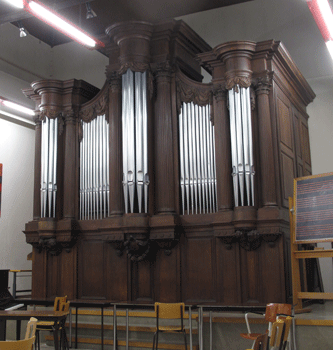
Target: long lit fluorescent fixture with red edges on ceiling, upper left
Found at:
53, 19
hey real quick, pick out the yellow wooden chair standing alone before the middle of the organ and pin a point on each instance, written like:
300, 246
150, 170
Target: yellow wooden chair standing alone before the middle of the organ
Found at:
170, 311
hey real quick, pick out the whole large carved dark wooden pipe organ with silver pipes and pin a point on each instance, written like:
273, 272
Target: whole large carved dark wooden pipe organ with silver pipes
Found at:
159, 187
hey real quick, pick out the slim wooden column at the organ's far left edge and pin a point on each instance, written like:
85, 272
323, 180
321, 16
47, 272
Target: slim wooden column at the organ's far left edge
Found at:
37, 173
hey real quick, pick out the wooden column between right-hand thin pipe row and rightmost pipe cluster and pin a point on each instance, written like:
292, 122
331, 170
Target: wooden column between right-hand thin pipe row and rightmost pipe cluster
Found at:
223, 151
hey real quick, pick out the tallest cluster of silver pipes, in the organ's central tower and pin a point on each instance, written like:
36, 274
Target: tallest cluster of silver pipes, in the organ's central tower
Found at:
135, 141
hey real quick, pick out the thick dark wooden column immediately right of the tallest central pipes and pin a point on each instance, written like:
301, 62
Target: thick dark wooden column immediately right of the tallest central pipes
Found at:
163, 155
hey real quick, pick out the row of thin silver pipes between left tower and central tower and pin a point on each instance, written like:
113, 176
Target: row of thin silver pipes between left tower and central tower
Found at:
94, 181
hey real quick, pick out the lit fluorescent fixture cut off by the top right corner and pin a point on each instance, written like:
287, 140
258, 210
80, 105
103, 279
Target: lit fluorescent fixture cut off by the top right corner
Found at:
322, 14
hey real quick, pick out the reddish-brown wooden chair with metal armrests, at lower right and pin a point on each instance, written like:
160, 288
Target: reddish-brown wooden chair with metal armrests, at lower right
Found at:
272, 310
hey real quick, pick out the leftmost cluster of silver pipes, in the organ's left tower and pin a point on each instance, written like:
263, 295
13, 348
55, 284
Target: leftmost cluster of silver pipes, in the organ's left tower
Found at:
49, 167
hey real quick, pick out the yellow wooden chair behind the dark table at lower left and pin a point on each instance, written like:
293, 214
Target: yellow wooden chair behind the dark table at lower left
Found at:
60, 304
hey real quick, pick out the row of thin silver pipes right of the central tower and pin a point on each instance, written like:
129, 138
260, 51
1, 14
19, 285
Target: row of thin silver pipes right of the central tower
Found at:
197, 160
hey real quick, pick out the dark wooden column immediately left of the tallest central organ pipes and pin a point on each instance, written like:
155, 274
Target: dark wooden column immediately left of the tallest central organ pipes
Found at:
115, 146
